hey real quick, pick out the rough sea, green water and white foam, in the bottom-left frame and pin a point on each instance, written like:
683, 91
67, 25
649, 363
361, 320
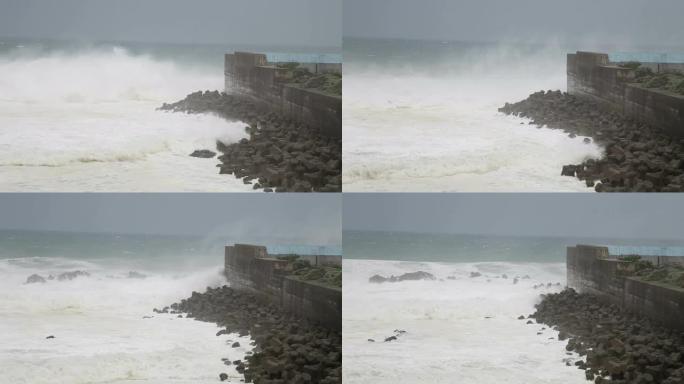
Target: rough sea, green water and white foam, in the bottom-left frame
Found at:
101, 335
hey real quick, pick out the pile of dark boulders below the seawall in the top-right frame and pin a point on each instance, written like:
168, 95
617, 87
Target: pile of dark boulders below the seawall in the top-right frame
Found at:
638, 157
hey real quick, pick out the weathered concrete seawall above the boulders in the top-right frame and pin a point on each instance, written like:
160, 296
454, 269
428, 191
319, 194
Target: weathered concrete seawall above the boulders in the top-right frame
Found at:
592, 75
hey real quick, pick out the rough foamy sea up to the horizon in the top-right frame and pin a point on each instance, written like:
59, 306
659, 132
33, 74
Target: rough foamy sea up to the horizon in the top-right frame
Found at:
422, 116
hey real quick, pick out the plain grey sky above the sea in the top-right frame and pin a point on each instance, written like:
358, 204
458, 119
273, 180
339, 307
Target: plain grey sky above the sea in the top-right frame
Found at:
624, 22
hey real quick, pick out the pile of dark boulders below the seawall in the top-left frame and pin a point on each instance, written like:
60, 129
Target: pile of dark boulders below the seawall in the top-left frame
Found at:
280, 155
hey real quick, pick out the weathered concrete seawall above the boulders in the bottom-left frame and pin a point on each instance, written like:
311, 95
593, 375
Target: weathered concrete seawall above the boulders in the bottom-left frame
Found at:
251, 267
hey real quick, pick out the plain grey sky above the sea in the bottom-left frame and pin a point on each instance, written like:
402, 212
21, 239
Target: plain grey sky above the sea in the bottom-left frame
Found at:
297, 218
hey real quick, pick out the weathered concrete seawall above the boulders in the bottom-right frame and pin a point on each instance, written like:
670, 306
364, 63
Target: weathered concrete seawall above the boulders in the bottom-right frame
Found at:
591, 269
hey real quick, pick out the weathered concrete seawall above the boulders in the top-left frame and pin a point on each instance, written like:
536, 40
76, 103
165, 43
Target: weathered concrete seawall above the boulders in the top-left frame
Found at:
273, 85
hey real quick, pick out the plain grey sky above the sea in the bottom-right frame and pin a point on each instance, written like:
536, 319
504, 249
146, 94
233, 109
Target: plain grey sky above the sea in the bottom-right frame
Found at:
643, 216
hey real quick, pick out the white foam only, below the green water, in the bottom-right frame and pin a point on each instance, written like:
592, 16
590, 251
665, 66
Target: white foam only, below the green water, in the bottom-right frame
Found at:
448, 338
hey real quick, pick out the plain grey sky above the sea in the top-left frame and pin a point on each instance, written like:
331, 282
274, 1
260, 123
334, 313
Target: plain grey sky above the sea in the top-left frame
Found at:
259, 22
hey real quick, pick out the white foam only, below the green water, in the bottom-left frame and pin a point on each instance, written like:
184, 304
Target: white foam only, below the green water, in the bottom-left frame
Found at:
100, 333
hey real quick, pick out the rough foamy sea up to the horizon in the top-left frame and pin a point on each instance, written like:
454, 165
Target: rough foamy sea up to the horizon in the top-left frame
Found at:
81, 117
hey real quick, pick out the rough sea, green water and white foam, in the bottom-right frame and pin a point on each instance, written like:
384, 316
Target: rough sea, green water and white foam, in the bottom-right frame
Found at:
458, 328
